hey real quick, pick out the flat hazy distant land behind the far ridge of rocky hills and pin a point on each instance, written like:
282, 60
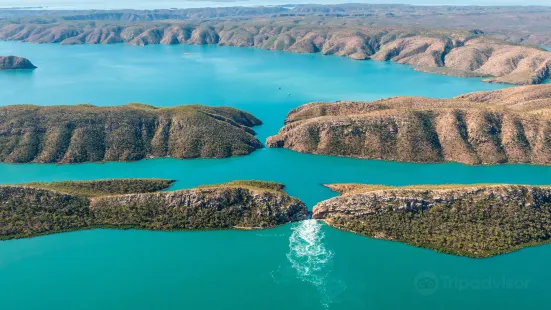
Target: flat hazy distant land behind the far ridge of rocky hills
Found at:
515, 24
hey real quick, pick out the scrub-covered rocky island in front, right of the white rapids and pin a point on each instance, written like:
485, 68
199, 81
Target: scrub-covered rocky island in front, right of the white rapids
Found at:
475, 221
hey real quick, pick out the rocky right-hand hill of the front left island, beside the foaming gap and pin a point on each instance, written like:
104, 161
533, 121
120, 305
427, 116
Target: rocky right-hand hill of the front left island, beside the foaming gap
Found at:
209, 208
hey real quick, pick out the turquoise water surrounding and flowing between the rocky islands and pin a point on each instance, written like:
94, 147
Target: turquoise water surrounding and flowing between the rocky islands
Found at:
299, 266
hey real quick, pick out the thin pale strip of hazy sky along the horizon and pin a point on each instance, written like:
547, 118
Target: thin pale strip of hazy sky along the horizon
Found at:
165, 4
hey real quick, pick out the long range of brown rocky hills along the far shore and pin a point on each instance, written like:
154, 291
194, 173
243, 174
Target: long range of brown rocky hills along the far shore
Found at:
357, 32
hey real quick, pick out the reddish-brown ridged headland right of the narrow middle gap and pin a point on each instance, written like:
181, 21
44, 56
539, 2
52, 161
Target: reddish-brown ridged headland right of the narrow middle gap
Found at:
506, 126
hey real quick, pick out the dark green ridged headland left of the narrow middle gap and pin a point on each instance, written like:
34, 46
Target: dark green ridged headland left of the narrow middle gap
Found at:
74, 134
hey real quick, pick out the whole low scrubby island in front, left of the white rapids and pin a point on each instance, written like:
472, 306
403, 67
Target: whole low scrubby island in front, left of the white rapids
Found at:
43, 208
